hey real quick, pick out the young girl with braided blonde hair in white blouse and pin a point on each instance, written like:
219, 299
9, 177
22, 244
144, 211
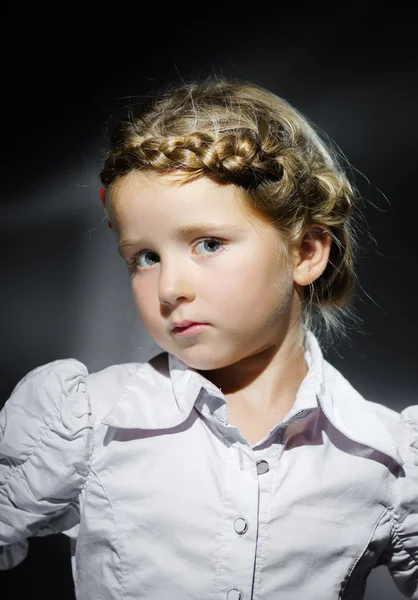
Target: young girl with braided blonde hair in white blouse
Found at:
237, 464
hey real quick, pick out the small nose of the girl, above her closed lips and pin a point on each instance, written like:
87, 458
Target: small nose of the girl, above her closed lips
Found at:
175, 283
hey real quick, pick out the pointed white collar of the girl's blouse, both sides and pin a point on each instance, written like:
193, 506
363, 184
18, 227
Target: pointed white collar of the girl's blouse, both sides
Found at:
154, 400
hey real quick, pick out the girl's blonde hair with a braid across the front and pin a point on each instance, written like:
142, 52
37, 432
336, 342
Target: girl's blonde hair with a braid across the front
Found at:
236, 132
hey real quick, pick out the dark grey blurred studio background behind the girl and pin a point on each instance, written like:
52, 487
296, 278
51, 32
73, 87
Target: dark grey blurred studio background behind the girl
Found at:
65, 291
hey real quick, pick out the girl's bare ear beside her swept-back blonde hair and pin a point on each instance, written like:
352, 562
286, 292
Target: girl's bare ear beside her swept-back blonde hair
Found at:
310, 257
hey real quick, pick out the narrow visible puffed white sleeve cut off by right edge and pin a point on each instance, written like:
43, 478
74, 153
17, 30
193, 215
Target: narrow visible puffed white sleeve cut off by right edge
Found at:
402, 556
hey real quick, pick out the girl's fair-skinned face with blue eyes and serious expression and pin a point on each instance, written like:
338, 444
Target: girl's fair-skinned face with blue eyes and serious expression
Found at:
231, 271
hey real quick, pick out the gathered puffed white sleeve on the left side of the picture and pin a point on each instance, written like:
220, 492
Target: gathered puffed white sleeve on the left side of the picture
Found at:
46, 443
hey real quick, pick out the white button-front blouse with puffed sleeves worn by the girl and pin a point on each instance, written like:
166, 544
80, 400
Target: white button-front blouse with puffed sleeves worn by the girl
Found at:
164, 500
